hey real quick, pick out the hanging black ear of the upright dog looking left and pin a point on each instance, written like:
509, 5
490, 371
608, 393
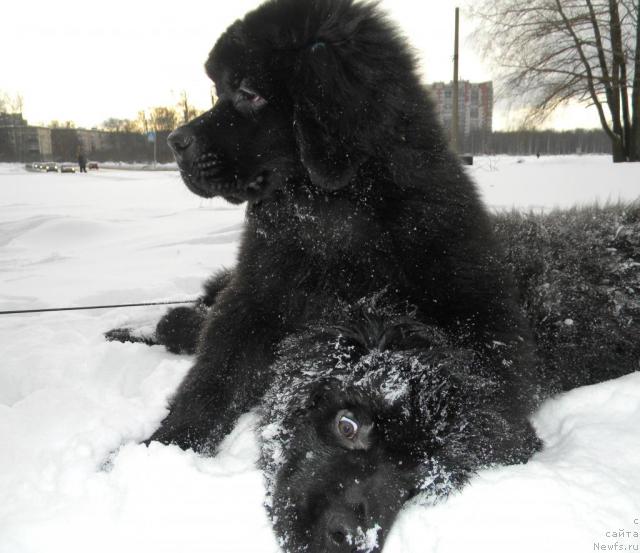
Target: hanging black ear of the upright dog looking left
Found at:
328, 112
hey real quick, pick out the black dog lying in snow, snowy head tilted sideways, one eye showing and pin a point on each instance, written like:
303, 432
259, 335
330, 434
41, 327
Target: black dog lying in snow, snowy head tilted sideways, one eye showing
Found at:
369, 407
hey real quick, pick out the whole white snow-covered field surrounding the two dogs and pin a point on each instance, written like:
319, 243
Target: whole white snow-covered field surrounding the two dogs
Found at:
72, 406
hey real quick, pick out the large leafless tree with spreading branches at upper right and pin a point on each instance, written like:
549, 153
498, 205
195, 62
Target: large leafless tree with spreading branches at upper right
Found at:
552, 52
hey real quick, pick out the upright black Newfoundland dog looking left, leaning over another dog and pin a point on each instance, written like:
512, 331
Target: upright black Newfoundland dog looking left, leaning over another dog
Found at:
323, 127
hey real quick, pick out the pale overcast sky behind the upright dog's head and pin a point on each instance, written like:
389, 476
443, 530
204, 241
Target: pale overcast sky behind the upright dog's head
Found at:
73, 60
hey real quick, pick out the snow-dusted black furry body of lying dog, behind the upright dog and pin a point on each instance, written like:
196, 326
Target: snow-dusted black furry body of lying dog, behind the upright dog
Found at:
579, 275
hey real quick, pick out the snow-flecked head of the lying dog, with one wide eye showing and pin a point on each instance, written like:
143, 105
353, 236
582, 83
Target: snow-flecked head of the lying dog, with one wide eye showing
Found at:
367, 412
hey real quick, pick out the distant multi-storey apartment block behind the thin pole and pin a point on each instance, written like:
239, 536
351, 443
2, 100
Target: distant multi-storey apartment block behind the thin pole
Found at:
475, 106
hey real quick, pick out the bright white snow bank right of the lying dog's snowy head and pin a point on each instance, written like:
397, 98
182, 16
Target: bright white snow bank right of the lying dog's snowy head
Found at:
583, 484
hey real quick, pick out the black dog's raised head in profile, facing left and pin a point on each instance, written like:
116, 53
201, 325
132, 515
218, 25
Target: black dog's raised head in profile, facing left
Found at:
307, 92
